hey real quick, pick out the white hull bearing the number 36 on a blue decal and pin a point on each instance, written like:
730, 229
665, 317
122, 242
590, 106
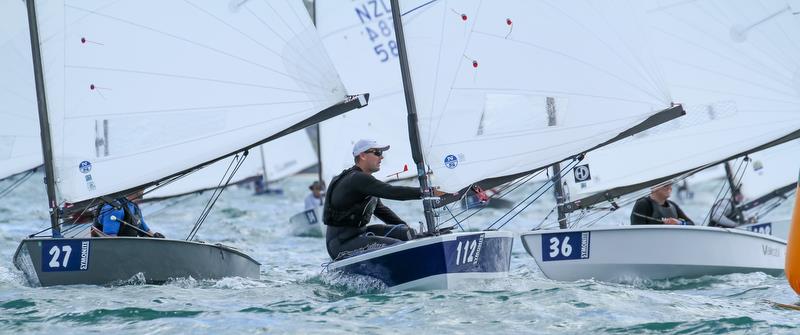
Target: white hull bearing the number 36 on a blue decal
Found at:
629, 253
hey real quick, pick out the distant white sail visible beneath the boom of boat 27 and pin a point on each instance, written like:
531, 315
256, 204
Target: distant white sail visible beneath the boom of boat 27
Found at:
282, 157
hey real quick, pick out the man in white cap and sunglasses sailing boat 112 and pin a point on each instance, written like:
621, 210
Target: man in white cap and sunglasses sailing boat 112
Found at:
354, 196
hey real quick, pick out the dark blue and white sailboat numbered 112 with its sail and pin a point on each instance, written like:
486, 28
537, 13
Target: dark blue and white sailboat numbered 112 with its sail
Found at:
458, 62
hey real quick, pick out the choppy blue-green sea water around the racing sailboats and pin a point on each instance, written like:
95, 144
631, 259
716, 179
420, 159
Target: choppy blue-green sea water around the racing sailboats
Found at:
292, 294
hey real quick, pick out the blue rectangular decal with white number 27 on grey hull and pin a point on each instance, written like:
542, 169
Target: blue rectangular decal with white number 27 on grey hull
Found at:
65, 255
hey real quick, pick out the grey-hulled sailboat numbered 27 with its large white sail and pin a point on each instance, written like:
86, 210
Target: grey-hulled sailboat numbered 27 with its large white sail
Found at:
129, 97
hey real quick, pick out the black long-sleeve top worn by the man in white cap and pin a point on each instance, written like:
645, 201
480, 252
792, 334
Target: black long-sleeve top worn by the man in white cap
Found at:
353, 188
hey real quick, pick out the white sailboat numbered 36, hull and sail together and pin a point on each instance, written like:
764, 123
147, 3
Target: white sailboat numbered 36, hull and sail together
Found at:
719, 70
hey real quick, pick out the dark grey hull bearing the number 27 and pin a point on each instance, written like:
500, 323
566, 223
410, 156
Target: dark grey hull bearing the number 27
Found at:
103, 261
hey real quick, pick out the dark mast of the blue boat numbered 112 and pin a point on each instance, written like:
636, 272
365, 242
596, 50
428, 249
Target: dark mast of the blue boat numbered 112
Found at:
413, 128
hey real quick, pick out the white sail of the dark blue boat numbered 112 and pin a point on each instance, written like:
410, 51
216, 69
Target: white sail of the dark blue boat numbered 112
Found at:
482, 73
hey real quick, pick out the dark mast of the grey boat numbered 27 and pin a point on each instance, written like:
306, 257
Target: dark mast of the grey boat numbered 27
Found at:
44, 123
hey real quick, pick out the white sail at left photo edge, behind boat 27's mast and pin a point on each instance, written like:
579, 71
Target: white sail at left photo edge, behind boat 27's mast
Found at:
20, 146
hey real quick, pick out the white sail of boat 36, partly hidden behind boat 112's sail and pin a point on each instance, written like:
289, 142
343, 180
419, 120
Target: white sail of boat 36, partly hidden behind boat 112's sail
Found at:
736, 74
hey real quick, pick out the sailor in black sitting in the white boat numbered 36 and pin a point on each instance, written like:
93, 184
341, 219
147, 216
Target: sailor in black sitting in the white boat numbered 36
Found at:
656, 208
